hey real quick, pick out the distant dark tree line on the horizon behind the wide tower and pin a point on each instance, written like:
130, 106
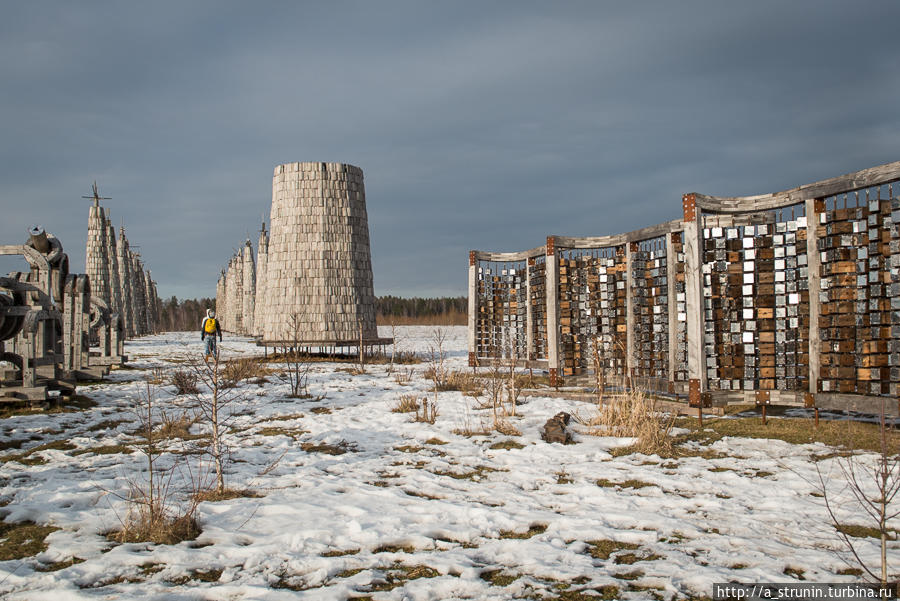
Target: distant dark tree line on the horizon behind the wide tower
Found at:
180, 315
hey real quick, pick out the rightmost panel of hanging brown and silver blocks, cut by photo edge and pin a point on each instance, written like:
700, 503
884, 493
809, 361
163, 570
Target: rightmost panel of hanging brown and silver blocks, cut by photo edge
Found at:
860, 296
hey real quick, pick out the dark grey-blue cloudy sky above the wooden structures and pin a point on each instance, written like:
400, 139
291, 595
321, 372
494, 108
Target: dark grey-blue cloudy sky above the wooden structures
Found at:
478, 125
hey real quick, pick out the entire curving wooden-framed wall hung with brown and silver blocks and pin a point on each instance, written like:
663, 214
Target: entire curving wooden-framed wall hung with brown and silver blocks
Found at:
789, 298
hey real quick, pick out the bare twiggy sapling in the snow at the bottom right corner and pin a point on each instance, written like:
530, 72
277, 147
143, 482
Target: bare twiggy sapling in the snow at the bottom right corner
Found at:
869, 490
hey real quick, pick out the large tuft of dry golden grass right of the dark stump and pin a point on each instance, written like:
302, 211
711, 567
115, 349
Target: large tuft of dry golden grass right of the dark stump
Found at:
633, 415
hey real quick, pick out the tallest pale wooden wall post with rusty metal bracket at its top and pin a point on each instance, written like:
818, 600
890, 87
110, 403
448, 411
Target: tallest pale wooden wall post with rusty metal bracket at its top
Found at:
693, 283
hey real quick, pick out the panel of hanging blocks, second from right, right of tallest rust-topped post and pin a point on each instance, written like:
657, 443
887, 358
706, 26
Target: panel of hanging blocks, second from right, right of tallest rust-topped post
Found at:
756, 304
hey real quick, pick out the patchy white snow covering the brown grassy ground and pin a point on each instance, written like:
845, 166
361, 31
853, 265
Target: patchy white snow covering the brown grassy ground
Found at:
412, 510
